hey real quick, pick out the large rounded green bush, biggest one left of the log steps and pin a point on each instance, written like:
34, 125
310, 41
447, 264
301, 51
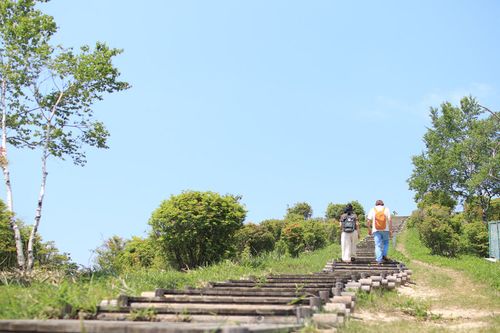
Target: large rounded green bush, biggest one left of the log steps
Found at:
197, 228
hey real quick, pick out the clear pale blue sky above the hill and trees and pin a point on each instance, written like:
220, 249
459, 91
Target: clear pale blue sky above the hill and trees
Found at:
277, 101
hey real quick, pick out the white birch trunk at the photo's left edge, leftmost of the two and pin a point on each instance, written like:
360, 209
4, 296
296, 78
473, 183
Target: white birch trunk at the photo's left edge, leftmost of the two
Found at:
6, 173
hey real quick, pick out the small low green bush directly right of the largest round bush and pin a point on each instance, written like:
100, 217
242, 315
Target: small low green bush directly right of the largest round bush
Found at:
254, 237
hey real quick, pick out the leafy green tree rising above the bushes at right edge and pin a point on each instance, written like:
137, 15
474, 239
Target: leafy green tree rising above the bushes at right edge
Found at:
461, 158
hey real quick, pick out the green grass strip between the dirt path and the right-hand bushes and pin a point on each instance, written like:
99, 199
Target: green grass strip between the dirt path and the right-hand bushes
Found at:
479, 269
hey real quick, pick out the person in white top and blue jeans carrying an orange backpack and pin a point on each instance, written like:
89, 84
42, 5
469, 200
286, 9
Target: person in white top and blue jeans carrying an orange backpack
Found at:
379, 223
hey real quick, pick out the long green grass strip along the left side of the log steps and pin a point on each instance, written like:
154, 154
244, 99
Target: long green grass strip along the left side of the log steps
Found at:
44, 300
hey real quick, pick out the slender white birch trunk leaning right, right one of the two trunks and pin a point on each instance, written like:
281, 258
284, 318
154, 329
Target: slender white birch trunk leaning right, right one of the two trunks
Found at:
38, 213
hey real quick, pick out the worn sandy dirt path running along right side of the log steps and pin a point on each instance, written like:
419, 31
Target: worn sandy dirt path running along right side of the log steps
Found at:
449, 300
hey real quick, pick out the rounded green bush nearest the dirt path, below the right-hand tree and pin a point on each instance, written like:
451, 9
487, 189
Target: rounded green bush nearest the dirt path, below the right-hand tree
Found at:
439, 231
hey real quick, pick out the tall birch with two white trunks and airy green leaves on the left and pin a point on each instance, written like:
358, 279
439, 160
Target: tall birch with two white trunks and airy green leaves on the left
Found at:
47, 96
